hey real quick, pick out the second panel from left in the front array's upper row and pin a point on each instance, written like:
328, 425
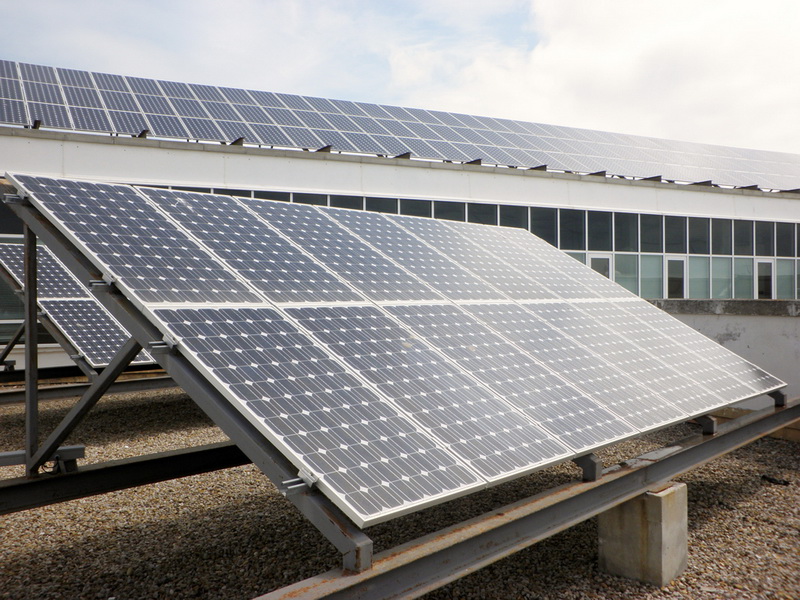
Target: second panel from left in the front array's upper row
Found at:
256, 251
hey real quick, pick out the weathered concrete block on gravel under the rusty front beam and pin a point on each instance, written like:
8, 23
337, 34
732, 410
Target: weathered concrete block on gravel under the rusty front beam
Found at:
646, 538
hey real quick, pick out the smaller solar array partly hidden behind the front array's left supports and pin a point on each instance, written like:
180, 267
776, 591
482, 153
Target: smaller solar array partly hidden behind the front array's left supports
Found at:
94, 333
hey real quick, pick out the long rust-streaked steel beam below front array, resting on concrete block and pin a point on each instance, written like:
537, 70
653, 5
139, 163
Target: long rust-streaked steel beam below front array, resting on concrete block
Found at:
422, 565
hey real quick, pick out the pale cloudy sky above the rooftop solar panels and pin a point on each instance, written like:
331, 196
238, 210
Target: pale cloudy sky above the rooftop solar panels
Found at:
715, 71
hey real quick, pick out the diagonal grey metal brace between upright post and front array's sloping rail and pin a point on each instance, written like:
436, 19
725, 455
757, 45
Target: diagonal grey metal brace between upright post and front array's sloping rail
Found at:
90, 397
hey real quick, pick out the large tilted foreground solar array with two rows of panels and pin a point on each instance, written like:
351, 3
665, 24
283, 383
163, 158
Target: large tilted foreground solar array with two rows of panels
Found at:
396, 361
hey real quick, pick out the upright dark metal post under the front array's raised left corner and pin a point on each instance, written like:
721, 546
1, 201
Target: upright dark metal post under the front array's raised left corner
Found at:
31, 351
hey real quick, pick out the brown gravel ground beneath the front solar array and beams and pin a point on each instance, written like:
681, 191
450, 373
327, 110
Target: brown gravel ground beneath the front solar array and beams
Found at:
230, 535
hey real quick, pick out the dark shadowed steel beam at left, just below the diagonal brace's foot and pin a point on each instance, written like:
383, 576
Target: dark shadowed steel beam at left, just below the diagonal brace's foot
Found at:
23, 494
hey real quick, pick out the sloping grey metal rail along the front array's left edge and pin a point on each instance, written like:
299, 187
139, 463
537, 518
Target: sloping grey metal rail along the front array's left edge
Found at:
354, 544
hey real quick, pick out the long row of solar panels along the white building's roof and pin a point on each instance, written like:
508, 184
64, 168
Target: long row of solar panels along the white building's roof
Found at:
103, 103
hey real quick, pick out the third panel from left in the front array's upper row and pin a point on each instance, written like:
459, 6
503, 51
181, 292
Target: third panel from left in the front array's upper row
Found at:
369, 272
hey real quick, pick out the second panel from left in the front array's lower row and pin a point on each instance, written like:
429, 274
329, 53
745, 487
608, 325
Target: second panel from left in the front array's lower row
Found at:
485, 432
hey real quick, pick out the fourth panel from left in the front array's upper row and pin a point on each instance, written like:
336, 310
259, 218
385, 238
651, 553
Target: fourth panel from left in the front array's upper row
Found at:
435, 269
